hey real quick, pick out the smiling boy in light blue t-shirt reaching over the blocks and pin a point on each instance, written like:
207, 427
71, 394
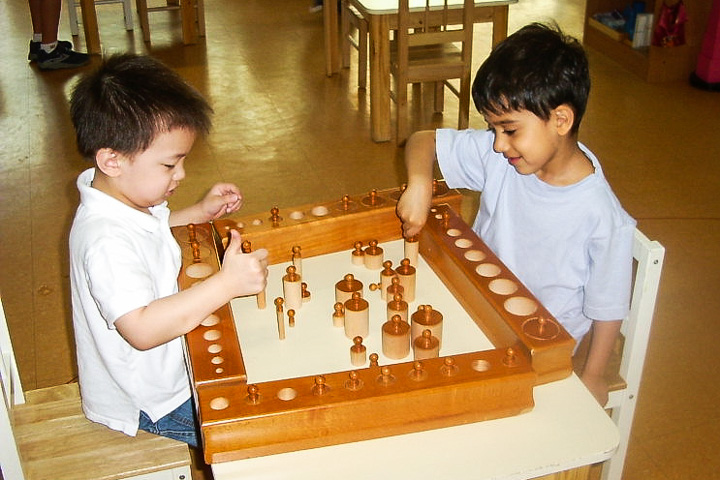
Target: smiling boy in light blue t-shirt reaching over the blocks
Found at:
546, 208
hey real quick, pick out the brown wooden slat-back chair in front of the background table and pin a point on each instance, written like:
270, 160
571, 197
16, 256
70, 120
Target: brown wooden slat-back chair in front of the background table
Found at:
431, 47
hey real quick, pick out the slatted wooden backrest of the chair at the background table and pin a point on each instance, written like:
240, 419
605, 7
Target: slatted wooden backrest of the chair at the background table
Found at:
433, 24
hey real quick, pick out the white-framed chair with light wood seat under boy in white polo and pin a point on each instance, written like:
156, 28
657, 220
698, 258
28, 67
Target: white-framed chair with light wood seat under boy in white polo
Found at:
44, 435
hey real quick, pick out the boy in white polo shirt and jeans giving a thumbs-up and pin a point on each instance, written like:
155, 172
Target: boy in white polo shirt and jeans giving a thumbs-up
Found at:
136, 120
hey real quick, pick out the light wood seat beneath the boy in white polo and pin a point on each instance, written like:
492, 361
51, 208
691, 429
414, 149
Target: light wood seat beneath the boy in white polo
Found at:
56, 441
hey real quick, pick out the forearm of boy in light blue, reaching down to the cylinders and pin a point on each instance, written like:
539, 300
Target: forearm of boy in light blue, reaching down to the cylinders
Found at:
414, 204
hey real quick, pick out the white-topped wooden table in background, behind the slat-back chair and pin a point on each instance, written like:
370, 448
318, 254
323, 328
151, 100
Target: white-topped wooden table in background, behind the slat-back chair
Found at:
382, 18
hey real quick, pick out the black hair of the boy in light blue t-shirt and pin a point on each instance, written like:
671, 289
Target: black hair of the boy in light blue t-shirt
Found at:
538, 68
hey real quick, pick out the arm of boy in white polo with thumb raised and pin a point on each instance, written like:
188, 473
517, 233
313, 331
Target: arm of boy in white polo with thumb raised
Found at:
170, 317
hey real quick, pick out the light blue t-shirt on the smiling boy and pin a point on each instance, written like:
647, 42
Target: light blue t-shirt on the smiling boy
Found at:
571, 246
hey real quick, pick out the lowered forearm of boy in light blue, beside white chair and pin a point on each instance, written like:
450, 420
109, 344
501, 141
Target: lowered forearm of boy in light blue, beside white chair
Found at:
601, 345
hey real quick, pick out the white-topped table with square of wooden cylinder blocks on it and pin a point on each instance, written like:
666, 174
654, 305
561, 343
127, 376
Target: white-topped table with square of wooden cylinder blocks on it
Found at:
489, 416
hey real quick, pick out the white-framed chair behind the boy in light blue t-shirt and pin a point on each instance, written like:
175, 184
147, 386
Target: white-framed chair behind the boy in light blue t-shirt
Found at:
624, 371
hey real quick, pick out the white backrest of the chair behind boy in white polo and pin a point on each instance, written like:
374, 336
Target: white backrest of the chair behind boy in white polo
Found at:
12, 393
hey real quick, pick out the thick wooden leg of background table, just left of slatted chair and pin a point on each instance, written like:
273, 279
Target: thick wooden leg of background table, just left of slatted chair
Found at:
380, 78
